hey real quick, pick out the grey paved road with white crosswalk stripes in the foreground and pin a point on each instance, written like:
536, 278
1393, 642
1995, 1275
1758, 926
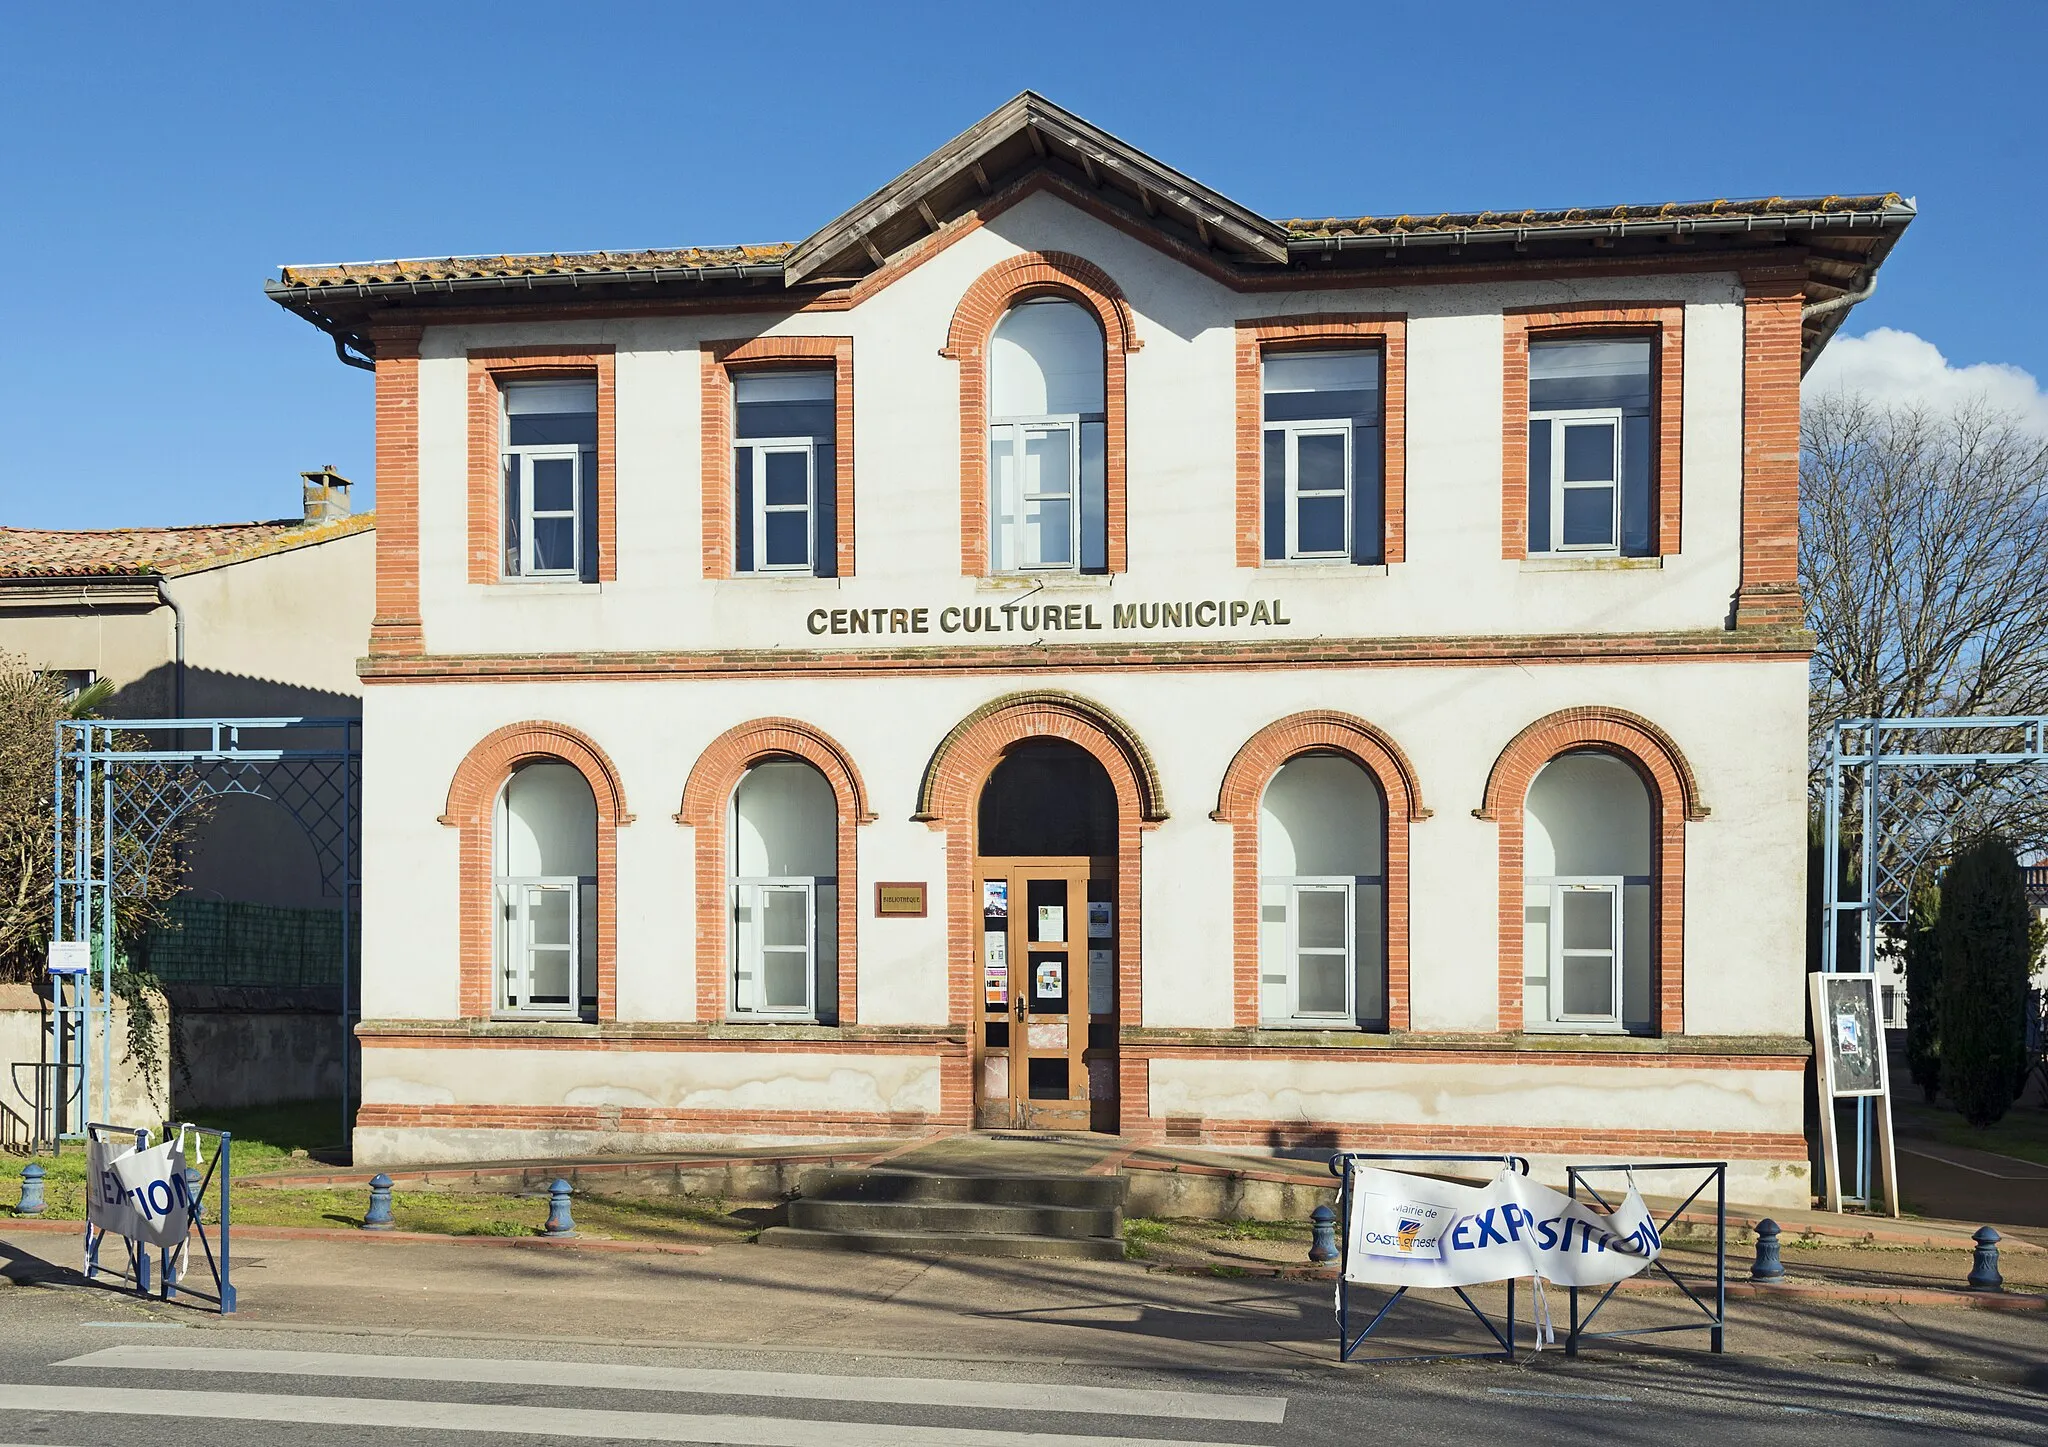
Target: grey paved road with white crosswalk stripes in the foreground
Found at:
81, 1370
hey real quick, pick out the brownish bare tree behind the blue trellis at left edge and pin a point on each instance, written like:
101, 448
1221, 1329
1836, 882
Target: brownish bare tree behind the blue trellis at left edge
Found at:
146, 846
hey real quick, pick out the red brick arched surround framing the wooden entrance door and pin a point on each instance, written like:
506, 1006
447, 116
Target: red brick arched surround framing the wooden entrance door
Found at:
951, 803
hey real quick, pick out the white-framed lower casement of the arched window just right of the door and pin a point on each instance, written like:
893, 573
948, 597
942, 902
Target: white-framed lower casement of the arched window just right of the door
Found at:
1314, 936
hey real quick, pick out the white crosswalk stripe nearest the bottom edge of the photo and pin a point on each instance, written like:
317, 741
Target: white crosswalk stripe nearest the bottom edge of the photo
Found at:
527, 1421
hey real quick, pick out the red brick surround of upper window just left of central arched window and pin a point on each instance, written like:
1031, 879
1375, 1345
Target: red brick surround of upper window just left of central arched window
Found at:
720, 363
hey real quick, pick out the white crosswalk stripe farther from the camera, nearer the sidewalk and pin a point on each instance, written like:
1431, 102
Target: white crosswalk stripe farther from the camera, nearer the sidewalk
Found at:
1015, 1397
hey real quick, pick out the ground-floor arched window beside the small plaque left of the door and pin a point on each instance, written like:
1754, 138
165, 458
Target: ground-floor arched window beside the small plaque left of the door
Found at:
785, 893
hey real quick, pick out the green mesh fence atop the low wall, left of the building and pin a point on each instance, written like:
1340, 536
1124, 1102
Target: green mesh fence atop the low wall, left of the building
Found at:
226, 942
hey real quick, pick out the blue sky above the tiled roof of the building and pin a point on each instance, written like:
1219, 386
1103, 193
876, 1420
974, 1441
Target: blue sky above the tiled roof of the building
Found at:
163, 161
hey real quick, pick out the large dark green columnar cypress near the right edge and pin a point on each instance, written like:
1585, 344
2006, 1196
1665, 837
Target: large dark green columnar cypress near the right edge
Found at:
1983, 940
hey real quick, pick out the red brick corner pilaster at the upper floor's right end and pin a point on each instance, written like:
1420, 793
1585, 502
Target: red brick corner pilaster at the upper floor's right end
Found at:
1770, 455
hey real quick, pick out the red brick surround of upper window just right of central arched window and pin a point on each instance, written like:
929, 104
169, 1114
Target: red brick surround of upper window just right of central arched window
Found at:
1263, 337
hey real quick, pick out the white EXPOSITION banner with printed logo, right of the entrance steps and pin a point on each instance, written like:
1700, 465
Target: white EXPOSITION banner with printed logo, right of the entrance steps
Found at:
1416, 1231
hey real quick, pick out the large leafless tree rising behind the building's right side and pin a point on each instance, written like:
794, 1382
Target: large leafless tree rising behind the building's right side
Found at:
1924, 558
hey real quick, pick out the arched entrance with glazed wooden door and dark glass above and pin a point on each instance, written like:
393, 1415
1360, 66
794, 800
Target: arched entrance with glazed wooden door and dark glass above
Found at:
1046, 867
